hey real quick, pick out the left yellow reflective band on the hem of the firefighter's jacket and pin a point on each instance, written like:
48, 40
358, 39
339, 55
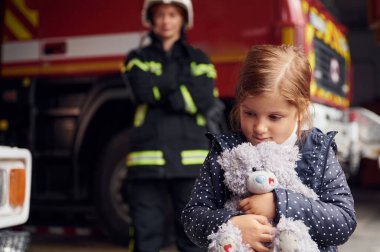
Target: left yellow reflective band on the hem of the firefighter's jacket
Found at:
148, 157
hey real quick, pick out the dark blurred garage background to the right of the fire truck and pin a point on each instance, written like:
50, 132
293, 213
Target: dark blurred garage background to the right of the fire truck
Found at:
364, 44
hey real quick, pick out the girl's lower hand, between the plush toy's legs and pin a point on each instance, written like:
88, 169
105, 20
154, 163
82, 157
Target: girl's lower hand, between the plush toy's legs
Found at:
255, 230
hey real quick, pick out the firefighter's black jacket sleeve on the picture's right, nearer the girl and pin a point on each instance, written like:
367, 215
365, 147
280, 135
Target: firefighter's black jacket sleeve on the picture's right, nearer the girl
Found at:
195, 92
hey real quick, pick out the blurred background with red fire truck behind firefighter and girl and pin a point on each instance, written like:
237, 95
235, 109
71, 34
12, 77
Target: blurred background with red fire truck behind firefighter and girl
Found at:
62, 97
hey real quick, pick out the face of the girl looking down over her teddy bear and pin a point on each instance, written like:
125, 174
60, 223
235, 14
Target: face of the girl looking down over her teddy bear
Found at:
267, 117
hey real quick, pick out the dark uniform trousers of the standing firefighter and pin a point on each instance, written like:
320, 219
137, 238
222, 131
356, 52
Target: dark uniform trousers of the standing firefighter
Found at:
149, 210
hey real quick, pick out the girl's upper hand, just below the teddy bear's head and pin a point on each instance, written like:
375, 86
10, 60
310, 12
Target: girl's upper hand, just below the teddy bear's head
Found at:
261, 204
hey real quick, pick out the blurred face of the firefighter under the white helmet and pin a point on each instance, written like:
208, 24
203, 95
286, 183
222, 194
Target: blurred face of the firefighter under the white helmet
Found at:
167, 21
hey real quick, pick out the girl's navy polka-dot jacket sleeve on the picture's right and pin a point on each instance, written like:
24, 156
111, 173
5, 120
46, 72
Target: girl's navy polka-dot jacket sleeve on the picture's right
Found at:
331, 218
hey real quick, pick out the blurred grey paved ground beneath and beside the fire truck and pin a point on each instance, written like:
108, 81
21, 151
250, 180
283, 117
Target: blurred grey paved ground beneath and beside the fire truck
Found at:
366, 237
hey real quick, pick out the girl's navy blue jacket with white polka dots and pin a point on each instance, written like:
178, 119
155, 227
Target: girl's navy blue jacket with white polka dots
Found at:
331, 219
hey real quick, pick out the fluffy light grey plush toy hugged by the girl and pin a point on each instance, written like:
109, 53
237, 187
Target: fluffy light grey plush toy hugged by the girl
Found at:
259, 169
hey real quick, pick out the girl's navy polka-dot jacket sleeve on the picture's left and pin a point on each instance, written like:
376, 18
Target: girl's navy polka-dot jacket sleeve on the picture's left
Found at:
204, 212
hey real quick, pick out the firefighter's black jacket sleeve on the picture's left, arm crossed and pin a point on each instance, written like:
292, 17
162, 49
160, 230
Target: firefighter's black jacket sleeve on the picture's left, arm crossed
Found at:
145, 78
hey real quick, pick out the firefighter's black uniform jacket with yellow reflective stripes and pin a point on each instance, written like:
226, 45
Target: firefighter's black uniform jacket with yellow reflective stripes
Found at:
172, 91
